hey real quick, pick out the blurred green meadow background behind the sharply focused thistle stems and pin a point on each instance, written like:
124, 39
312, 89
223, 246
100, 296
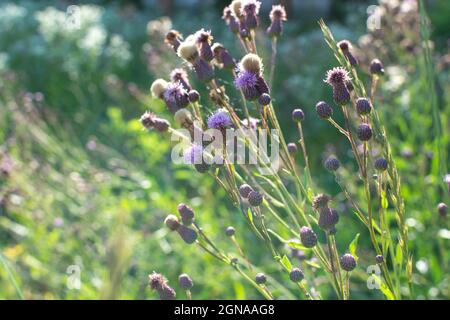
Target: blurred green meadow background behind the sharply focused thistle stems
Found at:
82, 184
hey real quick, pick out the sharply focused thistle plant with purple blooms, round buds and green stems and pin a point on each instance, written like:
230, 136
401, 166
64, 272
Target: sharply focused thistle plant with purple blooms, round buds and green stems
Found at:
284, 205
